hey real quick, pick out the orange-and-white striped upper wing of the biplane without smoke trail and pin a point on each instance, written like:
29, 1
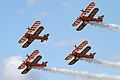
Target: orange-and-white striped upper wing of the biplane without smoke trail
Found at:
33, 28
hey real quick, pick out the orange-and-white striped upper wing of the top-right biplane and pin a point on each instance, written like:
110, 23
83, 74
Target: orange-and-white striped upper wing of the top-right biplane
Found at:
87, 10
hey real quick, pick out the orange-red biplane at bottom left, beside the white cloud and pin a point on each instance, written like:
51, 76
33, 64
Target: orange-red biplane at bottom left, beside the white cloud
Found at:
29, 65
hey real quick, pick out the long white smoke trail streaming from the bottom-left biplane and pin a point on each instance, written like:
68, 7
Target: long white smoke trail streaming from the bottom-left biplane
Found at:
83, 74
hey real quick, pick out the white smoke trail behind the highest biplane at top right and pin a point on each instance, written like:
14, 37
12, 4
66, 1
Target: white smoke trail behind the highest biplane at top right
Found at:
104, 25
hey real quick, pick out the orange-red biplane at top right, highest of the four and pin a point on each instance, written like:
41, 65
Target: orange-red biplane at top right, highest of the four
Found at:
88, 18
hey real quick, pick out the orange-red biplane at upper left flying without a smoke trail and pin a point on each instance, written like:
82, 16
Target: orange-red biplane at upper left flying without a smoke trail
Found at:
32, 37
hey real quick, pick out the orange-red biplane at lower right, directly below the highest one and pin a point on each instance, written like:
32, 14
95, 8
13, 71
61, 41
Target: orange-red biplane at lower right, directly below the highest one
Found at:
82, 55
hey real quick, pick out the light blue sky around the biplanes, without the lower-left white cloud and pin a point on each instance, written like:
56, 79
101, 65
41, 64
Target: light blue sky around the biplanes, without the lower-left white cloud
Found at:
57, 17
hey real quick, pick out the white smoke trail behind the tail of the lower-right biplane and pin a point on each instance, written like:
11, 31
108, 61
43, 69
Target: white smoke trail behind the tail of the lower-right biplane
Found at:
107, 63
